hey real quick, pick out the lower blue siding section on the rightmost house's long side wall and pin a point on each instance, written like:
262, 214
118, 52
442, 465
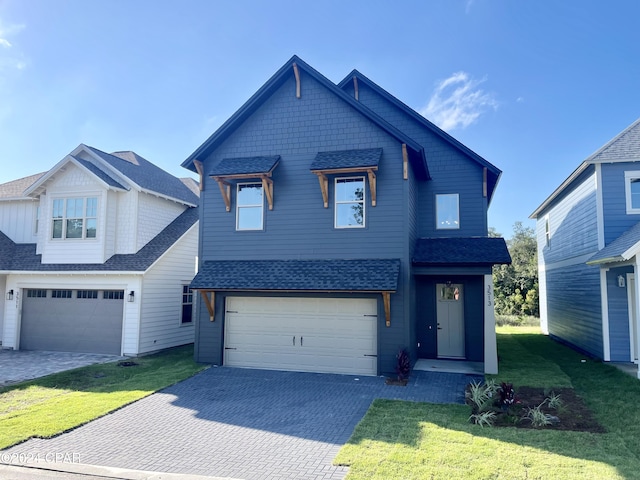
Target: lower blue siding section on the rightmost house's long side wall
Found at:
574, 306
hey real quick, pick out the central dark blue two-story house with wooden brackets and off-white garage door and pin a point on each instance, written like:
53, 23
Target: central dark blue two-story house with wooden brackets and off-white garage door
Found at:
338, 226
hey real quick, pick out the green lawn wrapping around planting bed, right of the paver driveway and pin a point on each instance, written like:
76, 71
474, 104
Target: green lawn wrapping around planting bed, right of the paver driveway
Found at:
404, 440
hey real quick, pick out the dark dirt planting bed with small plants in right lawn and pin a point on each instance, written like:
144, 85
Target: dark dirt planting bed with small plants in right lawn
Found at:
572, 414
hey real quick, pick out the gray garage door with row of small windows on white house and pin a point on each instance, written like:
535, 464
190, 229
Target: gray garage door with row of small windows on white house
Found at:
88, 321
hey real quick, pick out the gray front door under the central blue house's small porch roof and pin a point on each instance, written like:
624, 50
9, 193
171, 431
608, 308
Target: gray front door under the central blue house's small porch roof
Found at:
450, 315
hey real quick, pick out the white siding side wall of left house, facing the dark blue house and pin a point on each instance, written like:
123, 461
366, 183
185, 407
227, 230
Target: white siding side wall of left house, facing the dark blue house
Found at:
160, 325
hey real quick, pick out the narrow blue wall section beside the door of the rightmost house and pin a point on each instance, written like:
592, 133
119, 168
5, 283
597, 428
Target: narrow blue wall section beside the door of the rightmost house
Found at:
619, 340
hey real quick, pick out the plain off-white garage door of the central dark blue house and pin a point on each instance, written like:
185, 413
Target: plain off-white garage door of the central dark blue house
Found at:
330, 335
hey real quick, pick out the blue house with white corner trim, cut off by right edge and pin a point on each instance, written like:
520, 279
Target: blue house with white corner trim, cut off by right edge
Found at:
588, 233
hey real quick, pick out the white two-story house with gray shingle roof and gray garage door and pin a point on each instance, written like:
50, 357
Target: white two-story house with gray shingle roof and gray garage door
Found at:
96, 255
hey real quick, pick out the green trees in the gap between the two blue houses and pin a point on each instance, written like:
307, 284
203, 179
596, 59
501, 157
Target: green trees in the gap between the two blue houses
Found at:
516, 285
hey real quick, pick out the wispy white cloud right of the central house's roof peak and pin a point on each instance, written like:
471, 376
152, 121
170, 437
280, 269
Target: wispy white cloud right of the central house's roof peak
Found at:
458, 102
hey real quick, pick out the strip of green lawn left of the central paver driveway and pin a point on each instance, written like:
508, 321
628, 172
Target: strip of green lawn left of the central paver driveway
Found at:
56, 403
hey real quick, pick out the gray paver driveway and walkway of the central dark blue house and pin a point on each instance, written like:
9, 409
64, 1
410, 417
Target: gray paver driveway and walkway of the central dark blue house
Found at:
240, 423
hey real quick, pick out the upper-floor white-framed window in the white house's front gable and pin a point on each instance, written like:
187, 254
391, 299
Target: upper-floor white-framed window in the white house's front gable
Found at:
75, 217
